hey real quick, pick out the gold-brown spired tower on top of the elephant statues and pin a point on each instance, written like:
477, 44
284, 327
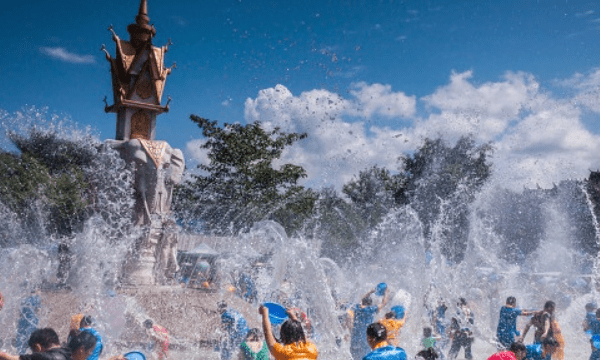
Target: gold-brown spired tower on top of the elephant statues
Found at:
138, 79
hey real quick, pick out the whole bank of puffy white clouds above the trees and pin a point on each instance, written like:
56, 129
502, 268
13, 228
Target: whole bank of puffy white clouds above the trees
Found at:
539, 139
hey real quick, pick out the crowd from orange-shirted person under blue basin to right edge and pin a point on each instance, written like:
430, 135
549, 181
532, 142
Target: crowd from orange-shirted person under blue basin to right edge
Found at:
449, 333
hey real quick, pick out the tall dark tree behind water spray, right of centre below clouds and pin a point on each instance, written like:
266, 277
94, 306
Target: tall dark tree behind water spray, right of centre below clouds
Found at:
440, 182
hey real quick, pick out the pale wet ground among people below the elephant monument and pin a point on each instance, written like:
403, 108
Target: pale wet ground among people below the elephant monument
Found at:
190, 315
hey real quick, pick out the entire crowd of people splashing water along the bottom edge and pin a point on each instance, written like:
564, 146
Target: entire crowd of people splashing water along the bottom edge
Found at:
448, 333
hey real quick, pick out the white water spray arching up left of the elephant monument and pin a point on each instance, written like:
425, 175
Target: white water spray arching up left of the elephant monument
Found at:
29, 258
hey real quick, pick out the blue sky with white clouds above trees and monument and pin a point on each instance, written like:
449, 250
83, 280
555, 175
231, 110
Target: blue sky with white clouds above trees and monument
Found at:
366, 79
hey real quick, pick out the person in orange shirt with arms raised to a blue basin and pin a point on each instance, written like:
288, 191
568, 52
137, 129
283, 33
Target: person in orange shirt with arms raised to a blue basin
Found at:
294, 345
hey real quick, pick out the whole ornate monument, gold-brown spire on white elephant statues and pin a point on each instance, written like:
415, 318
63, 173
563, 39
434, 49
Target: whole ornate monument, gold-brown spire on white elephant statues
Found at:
138, 79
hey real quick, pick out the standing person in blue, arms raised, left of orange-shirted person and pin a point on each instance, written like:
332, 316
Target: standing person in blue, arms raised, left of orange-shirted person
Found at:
364, 314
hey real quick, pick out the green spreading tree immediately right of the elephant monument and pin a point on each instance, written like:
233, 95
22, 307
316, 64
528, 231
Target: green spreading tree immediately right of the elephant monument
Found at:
240, 184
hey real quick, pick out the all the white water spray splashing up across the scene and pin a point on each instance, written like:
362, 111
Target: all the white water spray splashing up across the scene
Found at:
414, 265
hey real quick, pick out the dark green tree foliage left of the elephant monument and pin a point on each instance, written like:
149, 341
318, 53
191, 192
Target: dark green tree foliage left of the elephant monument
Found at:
54, 183
